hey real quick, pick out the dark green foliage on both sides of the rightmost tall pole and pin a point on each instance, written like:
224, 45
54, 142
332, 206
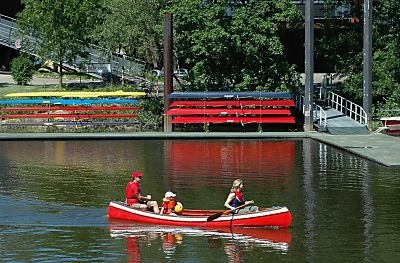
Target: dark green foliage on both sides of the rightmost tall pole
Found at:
342, 44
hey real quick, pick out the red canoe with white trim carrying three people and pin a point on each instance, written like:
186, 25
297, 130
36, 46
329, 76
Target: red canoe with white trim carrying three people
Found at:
266, 217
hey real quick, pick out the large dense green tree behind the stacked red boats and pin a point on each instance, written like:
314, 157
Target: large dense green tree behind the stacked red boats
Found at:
235, 45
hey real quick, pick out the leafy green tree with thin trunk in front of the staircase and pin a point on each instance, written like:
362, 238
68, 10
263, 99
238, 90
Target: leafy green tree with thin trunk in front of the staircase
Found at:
58, 29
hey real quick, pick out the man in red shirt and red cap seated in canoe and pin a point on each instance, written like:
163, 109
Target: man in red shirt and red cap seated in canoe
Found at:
135, 199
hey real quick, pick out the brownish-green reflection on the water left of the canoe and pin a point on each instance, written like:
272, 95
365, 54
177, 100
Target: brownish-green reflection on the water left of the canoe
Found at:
71, 172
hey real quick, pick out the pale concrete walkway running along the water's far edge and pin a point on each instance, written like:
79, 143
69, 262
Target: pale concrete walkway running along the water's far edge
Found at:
379, 148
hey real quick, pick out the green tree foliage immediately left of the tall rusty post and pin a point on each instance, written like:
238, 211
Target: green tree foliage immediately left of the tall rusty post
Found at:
134, 26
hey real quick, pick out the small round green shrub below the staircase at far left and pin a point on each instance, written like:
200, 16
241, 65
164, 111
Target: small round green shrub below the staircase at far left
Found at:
22, 69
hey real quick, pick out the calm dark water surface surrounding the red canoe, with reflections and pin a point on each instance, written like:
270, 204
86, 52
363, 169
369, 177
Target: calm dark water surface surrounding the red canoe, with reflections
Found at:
54, 197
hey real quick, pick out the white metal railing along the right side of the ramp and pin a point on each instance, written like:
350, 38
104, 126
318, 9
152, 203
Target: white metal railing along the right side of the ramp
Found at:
347, 107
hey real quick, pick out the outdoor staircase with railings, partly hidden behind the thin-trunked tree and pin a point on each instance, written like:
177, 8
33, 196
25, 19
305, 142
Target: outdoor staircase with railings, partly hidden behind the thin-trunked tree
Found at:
100, 62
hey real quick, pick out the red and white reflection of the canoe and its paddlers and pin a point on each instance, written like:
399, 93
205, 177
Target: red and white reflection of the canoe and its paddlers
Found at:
234, 240
